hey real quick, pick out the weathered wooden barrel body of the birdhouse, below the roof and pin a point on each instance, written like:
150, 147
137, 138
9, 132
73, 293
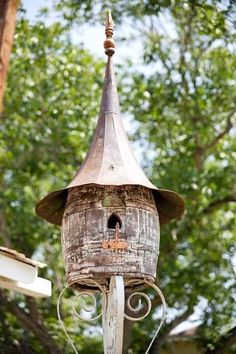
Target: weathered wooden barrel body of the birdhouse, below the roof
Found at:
92, 246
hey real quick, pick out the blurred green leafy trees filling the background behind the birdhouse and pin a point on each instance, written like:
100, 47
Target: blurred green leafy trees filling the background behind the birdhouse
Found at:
183, 106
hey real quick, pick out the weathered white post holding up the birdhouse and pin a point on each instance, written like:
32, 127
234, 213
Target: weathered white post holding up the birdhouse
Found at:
113, 316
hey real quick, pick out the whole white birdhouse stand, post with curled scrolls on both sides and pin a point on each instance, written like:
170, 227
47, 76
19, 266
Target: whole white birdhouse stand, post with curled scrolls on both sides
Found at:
113, 310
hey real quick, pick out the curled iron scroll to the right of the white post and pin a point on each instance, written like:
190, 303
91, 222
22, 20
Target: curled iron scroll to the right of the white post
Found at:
149, 306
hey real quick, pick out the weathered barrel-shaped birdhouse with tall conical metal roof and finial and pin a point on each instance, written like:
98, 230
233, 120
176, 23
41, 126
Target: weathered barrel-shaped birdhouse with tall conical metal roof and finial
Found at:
110, 214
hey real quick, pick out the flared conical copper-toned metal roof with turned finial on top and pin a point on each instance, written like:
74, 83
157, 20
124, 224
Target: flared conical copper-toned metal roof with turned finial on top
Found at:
110, 160
